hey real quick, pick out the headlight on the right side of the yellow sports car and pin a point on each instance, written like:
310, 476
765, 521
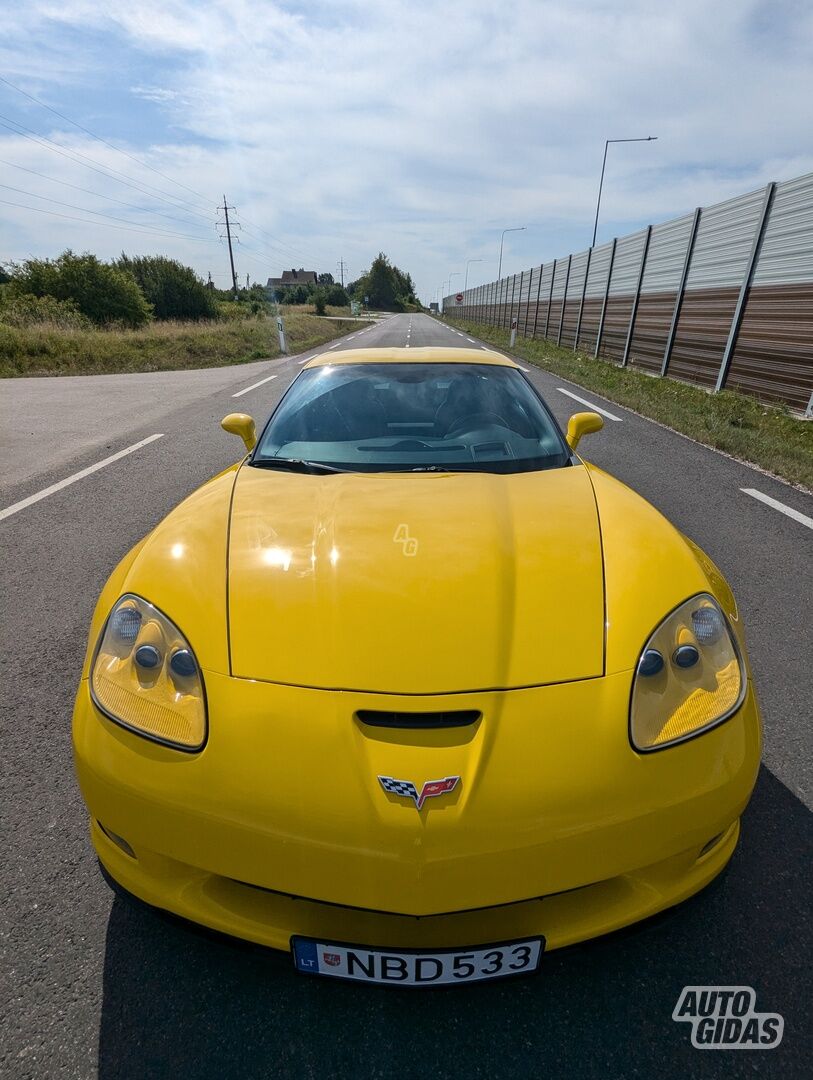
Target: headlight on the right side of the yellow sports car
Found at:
689, 679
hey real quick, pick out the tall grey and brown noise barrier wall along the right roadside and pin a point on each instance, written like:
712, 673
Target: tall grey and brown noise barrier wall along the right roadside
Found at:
722, 298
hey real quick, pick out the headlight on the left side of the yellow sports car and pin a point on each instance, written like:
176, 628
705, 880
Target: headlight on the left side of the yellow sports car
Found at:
146, 678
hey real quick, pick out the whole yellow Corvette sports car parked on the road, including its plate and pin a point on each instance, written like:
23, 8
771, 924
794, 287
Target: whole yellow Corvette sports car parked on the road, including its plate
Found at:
414, 692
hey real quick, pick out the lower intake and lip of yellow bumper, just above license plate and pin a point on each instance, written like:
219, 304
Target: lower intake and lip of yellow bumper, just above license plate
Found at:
270, 919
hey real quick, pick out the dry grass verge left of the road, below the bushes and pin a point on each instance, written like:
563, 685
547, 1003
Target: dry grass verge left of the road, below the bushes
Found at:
160, 347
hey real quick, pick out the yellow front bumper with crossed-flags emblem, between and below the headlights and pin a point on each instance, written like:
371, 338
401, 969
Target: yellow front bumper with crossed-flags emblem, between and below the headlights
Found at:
559, 827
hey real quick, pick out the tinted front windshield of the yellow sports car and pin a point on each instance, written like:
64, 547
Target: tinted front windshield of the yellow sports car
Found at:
413, 417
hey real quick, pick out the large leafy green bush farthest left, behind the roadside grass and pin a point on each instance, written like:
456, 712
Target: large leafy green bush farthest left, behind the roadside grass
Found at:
104, 294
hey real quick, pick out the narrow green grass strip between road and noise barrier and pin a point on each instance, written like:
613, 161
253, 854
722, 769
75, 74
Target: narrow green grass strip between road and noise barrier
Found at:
737, 424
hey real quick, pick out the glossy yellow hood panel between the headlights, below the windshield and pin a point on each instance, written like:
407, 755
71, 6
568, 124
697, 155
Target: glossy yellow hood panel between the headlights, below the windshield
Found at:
416, 584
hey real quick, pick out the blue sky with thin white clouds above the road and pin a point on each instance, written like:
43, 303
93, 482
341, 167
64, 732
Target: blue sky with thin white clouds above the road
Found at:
338, 129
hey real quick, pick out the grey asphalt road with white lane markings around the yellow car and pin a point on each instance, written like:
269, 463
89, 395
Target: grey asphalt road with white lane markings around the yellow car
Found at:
96, 984
